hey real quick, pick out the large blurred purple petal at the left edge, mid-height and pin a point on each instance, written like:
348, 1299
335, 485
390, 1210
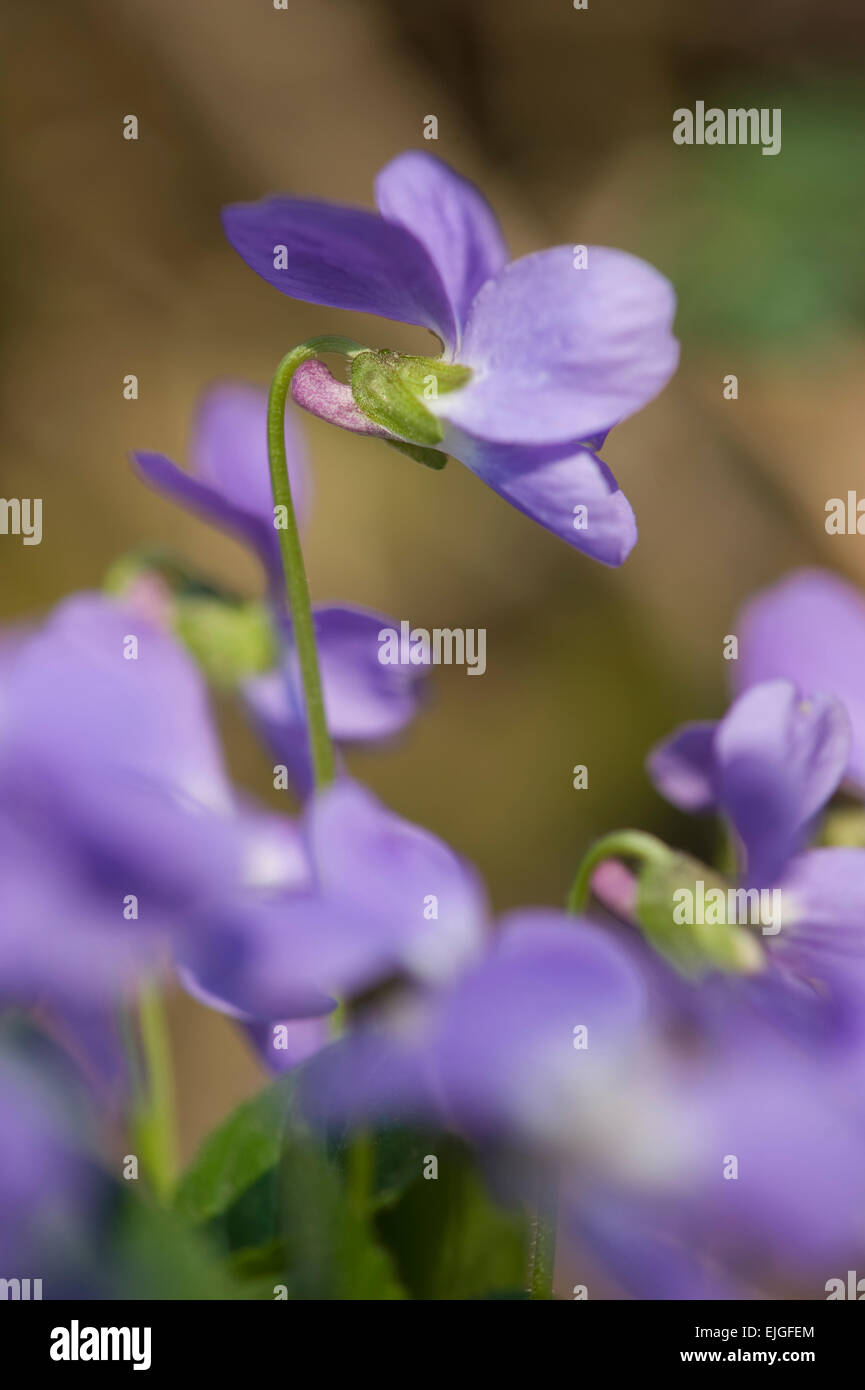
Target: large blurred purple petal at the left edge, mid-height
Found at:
119, 761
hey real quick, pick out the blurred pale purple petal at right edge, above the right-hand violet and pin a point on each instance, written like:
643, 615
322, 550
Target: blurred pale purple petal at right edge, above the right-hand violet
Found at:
810, 629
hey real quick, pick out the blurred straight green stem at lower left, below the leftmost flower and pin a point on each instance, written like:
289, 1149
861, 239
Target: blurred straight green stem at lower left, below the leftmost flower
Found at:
156, 1129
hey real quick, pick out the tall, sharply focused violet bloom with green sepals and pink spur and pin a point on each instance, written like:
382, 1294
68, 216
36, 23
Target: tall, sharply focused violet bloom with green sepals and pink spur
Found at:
542, 357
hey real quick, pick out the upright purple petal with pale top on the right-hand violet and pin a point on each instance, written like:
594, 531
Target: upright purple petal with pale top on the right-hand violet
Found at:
779, 760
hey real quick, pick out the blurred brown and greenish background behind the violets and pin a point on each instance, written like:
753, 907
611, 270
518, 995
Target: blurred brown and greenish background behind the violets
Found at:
113, 262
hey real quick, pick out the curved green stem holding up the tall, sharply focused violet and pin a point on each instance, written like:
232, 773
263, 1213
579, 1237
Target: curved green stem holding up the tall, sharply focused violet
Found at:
297, 586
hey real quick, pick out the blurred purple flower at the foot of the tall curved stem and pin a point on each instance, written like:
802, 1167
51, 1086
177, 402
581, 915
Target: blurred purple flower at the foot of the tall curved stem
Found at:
385, 900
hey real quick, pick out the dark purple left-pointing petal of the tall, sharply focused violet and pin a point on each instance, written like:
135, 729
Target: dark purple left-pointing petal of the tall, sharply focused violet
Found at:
343, 258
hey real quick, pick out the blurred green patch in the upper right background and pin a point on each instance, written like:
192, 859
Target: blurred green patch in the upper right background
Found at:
767, 248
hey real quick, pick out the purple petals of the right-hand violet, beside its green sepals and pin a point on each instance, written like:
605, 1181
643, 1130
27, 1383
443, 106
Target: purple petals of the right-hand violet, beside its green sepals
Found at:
770, 767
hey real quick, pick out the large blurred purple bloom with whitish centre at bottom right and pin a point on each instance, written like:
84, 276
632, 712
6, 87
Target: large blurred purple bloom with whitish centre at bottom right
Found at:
693, 1161
